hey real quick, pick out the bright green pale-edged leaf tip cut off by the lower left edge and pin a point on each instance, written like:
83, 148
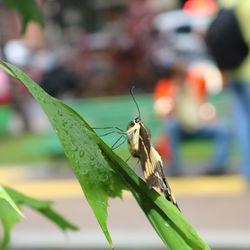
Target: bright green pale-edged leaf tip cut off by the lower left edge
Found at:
9, 215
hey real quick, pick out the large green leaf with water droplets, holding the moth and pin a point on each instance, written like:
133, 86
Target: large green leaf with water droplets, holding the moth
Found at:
103, 174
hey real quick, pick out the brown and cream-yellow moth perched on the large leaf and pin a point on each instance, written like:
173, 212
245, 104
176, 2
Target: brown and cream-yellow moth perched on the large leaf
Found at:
140, 146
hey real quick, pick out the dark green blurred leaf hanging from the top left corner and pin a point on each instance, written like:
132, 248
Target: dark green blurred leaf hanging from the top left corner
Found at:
28, 10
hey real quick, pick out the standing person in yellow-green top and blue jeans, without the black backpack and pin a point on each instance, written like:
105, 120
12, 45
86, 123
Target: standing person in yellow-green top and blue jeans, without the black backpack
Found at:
238, 80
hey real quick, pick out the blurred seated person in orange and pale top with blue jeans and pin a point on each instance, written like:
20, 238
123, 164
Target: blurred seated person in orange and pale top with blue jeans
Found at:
182, 102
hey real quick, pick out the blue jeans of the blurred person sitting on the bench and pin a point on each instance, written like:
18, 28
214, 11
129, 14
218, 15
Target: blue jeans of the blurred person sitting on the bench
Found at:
220, 133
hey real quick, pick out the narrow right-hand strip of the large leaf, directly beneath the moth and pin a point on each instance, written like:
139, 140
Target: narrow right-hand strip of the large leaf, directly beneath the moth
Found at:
162, 214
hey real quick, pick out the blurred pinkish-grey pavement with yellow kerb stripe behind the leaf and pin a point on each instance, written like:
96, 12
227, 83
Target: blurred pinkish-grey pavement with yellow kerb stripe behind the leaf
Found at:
218, 207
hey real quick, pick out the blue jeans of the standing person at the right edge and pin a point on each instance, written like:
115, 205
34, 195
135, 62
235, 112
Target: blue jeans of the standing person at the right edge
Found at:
241, 115
